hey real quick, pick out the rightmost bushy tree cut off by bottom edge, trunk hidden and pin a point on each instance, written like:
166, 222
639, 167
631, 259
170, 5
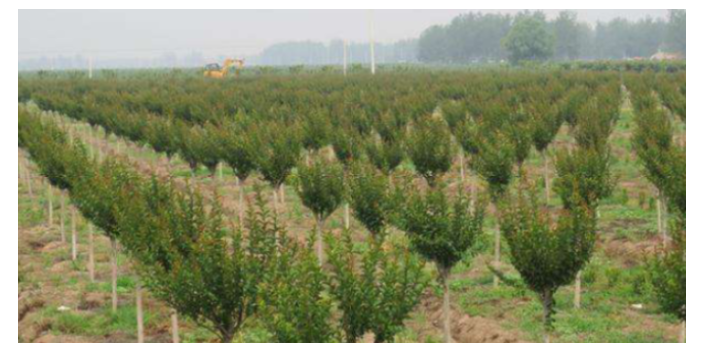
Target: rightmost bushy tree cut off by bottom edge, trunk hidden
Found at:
377, 289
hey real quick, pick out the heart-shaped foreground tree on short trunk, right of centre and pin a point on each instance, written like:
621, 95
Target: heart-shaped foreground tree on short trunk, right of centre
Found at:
548, 256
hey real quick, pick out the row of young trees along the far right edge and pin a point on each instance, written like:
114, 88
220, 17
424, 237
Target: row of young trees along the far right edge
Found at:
659, 105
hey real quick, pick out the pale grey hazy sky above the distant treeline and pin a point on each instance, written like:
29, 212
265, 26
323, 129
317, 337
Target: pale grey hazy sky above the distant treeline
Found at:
242, 32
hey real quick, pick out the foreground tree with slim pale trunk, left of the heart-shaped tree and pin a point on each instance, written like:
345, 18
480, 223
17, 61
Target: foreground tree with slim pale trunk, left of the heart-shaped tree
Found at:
443, 233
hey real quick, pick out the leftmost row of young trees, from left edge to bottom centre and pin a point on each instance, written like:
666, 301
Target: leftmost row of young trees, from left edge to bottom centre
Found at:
222, 276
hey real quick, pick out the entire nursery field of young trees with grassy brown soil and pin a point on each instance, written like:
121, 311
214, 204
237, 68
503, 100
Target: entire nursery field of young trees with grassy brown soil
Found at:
406, 207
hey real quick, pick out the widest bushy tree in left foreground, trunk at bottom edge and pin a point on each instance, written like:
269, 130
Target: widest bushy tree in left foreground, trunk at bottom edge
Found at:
196, 265
